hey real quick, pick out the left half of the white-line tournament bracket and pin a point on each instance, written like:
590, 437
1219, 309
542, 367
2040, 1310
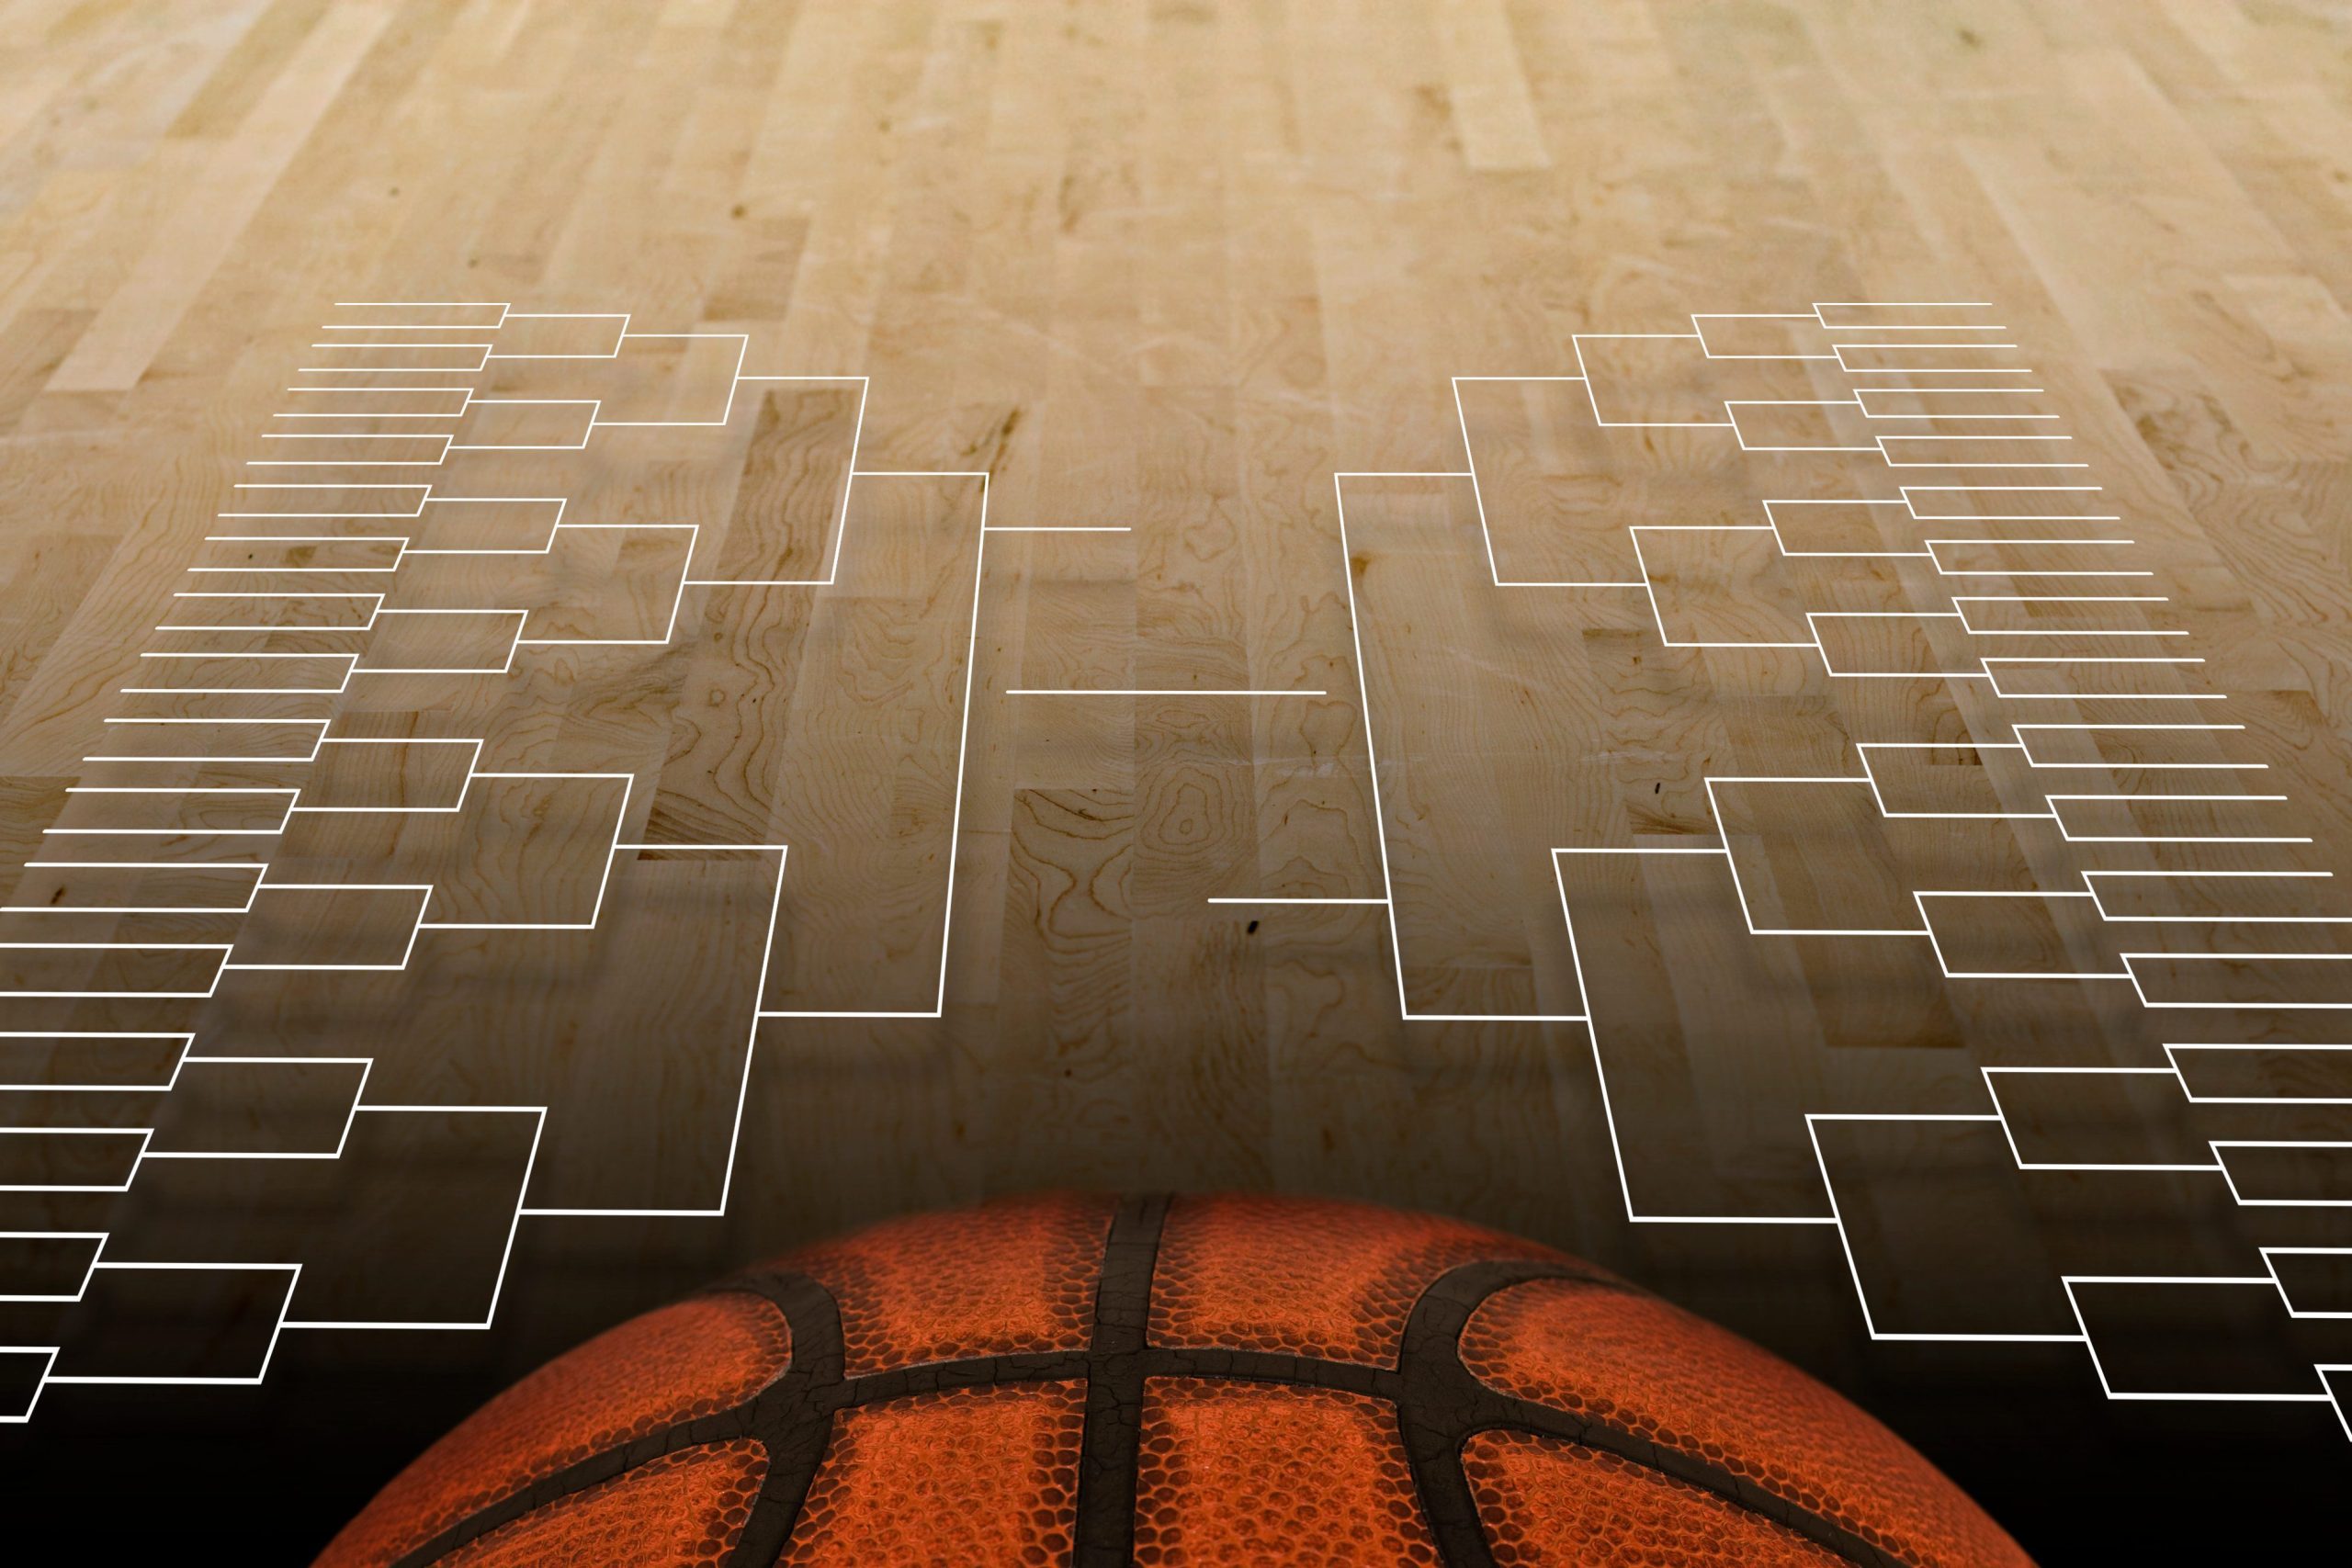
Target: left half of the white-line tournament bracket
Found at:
319, 977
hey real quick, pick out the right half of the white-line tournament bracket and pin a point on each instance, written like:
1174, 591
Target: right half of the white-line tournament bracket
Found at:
1960, 916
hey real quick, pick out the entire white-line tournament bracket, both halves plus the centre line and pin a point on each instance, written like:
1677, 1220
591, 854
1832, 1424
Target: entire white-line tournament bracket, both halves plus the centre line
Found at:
319, 967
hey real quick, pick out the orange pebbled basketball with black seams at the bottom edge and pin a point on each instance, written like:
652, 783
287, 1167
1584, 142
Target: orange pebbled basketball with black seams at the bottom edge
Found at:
1170, 1381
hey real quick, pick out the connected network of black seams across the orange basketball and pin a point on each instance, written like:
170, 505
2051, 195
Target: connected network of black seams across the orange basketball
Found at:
1441, 1407
